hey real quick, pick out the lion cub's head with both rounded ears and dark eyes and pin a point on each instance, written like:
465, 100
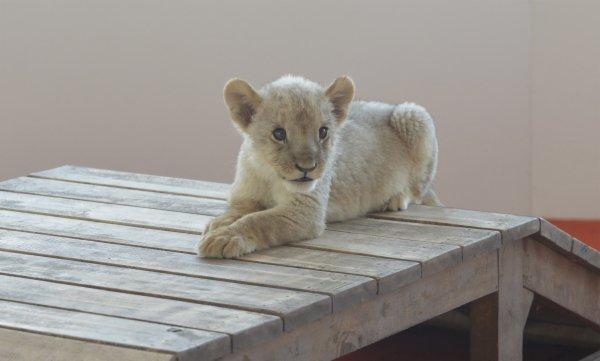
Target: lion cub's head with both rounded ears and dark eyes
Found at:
292, 124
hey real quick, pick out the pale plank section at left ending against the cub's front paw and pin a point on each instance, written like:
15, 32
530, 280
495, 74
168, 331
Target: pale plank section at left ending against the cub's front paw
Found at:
102, 232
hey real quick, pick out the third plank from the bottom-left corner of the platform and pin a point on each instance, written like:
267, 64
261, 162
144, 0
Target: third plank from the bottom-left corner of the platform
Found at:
245, 328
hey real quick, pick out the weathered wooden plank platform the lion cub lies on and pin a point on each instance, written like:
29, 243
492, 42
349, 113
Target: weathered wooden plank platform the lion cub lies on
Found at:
100, 265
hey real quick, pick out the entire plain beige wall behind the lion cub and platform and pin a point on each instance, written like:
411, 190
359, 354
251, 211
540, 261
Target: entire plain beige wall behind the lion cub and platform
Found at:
136, 85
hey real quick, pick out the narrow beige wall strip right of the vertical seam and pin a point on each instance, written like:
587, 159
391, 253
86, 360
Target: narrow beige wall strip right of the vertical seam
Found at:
566, 108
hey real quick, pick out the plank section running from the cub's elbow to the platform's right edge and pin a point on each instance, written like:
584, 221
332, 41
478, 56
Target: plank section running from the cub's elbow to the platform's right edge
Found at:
433, 257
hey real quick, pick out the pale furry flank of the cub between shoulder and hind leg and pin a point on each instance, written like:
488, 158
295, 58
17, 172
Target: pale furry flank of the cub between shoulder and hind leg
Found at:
368, 168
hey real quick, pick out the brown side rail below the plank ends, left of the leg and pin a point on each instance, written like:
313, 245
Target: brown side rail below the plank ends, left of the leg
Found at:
339, 334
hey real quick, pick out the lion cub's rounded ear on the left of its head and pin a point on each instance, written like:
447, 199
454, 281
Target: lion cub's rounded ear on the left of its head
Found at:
242, 101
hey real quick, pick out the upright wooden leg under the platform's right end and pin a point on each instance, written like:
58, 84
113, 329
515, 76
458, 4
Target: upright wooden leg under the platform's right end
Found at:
498, 320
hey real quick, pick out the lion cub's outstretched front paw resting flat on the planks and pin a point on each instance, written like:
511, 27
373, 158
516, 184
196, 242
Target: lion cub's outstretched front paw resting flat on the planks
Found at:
225, 243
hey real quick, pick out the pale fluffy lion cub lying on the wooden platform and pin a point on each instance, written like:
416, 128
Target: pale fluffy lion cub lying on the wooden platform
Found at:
311, 155
